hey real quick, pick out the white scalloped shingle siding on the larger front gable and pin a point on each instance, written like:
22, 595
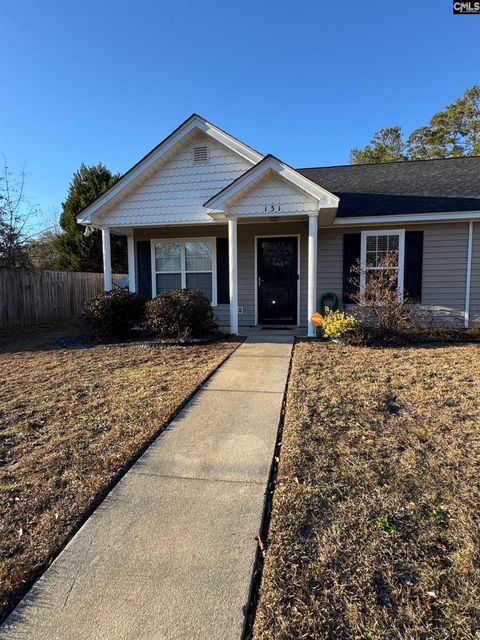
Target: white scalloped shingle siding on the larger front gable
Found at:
176, 192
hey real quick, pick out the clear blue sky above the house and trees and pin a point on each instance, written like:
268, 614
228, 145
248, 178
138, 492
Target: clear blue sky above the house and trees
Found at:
306, 80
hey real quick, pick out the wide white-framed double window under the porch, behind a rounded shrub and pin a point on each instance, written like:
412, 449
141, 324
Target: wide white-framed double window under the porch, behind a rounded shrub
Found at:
184, 264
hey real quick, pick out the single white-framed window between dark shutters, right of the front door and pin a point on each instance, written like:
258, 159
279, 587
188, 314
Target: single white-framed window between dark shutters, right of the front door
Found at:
376, 245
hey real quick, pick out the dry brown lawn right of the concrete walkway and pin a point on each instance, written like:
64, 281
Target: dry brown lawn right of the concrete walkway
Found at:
375, 529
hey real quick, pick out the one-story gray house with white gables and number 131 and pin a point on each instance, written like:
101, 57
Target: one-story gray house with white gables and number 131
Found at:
263, 241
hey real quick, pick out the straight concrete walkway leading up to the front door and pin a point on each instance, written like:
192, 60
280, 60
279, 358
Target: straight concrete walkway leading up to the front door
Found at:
169, 553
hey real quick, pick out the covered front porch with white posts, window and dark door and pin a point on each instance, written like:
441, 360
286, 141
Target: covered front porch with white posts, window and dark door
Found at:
263, 274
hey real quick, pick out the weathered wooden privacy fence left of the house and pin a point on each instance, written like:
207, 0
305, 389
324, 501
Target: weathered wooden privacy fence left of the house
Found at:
40, 297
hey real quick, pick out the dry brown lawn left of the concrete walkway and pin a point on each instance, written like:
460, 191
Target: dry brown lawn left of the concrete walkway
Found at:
70, 422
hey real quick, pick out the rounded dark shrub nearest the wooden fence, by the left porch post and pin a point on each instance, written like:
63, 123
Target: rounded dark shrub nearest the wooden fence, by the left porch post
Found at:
112, 315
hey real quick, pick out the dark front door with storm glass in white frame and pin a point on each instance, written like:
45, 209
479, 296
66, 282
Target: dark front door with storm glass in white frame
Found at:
277, 280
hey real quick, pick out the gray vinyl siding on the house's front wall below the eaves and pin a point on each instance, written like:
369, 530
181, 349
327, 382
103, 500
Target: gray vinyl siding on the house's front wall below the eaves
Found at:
443, 278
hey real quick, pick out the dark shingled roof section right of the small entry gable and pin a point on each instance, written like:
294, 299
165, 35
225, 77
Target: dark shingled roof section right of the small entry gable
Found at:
419, 186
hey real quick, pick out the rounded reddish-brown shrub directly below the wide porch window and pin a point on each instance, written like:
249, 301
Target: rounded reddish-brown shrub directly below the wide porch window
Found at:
180, 315
